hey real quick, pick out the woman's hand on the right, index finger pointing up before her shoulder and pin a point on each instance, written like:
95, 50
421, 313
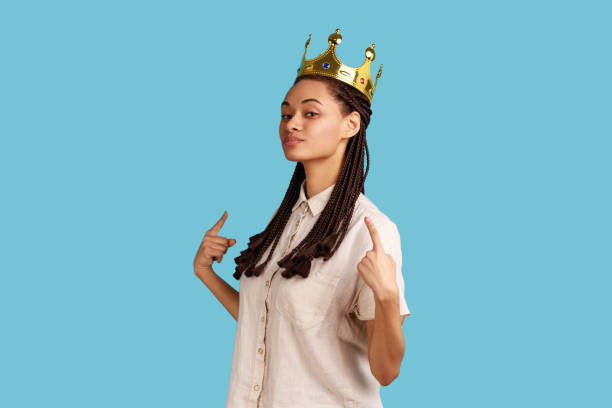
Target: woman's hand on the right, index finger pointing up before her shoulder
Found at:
377, 268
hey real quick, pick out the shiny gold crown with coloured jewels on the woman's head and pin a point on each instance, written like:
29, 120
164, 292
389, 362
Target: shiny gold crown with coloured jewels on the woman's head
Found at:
329, 65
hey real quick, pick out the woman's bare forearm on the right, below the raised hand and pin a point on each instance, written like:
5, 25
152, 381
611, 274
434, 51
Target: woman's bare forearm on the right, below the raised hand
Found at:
387, 349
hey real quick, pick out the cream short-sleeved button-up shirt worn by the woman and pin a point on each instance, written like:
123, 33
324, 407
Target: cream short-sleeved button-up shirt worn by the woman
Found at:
302, 342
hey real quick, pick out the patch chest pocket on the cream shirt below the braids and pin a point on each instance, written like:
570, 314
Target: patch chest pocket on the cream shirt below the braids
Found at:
306, 301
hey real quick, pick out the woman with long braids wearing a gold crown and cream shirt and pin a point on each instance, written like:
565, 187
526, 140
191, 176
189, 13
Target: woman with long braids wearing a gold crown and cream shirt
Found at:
322, 295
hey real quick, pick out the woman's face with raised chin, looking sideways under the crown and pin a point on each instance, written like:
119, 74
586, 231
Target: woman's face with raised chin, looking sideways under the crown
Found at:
310, 113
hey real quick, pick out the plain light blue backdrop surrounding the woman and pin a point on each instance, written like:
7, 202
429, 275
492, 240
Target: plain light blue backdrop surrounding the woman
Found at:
127, 128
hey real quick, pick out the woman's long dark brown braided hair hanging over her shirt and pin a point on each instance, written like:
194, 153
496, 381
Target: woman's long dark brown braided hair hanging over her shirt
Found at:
328, 232
